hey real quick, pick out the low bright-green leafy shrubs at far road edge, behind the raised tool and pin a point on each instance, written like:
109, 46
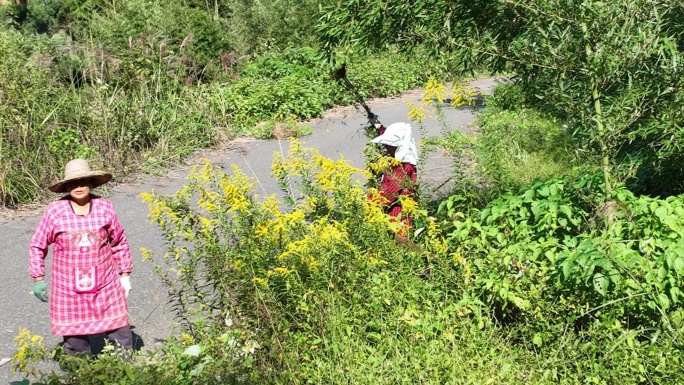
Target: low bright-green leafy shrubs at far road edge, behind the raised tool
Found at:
294, 83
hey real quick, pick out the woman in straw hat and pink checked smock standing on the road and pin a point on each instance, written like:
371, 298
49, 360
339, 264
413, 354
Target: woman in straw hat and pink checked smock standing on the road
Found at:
90, 266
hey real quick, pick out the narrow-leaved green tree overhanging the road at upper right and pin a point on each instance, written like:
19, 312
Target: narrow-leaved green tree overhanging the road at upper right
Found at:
611, 71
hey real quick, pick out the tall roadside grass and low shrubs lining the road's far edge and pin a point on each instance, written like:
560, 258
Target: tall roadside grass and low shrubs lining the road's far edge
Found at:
132, 113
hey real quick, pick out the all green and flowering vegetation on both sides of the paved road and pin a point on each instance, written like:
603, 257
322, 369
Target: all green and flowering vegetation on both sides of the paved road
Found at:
545, 264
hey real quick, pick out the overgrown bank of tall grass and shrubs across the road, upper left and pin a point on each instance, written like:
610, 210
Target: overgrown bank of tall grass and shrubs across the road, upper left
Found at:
133, 85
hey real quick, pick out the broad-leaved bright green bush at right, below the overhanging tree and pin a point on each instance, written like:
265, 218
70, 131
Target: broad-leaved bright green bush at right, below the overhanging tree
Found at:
555, 253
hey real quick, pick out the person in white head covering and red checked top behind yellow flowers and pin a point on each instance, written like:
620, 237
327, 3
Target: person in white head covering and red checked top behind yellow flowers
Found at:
398, 180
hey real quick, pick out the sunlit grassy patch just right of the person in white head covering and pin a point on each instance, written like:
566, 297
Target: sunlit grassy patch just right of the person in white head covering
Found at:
511, 146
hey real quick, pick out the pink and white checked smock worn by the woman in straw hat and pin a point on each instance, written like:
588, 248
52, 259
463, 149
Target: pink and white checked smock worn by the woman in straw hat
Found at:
89, 252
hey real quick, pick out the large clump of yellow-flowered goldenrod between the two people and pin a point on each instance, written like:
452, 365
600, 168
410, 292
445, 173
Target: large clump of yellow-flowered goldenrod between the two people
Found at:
266, 264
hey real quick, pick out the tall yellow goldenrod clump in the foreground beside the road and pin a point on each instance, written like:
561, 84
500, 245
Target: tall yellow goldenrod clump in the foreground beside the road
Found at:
219, 231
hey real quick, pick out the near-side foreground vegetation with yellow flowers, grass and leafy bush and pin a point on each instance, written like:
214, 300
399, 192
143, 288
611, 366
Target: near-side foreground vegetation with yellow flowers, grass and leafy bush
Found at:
549, 283
